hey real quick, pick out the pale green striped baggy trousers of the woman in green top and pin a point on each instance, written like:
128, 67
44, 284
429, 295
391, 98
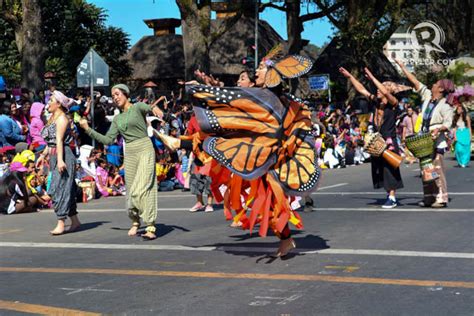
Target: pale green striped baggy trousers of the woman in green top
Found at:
140, 180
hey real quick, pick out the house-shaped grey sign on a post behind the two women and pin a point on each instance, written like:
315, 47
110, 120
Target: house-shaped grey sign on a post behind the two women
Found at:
92, 71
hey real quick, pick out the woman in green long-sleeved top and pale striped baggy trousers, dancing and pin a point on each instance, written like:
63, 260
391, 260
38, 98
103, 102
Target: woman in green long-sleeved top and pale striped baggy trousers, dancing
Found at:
139, 158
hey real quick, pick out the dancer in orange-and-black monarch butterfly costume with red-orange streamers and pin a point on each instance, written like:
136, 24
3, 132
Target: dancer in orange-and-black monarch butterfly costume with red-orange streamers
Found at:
264, 138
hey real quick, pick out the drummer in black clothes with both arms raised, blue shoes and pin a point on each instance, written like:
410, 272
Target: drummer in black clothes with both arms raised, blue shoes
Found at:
381, 121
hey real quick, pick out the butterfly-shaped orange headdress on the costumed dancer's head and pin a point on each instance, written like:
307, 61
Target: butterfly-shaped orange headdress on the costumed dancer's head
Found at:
288, 67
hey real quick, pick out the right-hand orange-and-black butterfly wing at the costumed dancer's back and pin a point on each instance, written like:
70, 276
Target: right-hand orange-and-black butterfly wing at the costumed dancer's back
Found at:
297, 168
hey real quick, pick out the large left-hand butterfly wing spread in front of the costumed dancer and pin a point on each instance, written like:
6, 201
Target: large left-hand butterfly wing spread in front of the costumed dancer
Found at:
244, 124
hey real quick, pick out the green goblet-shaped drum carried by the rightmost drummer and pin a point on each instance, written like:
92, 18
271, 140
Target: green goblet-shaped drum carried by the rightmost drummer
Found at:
422, 147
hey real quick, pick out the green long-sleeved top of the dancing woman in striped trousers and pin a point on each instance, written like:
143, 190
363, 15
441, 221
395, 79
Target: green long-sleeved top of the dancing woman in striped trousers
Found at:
131, 125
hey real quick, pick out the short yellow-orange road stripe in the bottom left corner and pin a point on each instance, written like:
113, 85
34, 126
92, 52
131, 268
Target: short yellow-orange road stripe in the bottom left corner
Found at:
42, 309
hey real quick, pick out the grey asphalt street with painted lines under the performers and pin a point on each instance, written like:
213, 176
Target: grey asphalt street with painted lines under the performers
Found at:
353, 258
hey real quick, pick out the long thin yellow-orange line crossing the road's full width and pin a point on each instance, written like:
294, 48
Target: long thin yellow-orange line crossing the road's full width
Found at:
254, 276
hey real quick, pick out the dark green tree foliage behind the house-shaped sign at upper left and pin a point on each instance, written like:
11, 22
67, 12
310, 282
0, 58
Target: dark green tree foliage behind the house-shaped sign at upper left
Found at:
75, 28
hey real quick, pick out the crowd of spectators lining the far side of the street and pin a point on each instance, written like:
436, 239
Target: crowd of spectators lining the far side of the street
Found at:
339, 131
